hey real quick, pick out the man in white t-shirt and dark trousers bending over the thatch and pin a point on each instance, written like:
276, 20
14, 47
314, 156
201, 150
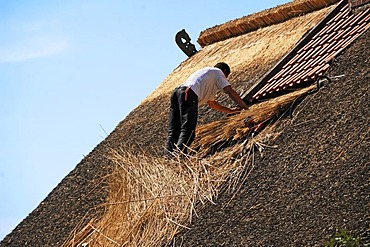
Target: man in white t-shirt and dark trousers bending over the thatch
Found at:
201, 87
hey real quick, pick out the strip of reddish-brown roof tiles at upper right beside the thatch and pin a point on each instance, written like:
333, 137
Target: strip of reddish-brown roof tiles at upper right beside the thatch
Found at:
313, 55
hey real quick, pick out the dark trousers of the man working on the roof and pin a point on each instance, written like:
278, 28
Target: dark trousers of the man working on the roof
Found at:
182, 119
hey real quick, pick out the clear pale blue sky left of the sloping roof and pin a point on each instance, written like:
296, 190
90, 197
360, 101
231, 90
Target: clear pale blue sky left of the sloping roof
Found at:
72, 70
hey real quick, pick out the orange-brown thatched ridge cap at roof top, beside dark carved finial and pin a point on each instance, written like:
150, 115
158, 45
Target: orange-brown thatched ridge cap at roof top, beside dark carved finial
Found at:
261, 19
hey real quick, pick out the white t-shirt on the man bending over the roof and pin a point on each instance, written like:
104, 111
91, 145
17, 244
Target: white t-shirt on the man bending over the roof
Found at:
206, 83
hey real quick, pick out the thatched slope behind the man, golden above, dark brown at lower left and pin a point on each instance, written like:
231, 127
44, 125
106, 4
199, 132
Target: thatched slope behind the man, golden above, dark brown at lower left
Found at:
144, 130
